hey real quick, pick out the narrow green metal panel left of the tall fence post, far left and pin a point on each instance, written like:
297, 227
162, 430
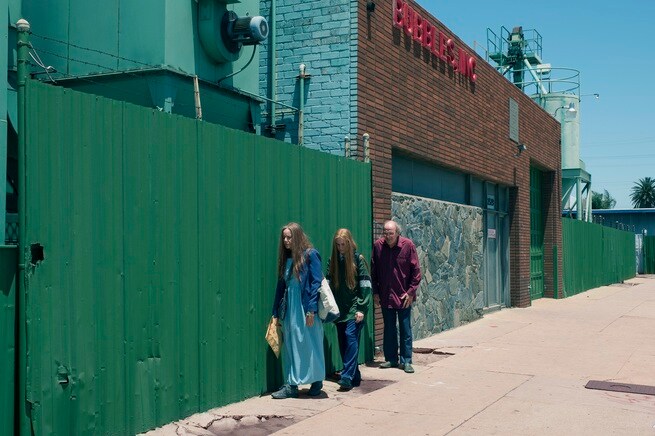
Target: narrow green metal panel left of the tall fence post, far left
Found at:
8, 373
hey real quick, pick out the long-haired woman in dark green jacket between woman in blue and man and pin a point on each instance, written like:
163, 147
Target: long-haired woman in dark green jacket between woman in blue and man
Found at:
351, 284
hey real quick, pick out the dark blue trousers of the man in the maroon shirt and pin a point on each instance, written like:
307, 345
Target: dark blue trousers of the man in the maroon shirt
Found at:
390, 337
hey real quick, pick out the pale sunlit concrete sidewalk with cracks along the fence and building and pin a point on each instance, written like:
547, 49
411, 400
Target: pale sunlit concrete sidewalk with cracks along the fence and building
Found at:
516, 371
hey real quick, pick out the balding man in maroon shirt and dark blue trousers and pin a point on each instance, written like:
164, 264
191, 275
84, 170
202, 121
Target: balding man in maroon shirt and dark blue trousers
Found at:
396, 274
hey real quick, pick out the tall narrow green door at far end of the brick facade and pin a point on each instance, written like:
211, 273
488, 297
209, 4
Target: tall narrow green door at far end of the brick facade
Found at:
536, 236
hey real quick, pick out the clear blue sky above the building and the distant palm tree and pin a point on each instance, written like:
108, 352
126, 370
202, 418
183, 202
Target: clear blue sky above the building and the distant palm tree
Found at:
612, 44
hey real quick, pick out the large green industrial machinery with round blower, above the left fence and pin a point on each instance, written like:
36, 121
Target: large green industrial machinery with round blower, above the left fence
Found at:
197, 59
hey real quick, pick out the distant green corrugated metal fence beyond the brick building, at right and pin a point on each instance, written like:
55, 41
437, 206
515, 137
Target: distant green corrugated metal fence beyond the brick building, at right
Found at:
595, 255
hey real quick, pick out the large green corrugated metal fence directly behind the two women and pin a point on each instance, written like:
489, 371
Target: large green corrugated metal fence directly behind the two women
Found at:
160, 238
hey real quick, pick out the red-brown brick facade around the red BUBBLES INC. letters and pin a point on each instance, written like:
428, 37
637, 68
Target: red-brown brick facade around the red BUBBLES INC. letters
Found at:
410, 101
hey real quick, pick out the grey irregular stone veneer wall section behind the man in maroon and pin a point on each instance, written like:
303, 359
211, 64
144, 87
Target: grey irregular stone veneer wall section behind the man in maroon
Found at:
449, 242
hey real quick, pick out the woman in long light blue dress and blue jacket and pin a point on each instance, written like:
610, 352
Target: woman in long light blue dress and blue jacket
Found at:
295, 310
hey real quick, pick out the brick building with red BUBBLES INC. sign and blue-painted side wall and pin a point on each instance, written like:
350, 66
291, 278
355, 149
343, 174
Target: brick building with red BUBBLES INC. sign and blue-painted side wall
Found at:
467, 162
